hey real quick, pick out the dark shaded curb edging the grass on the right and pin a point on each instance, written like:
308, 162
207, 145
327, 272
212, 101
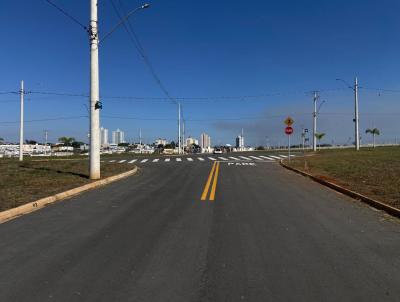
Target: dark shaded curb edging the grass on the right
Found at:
372, 202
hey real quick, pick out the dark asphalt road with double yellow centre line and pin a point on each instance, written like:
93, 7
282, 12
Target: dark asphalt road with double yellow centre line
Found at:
268, 235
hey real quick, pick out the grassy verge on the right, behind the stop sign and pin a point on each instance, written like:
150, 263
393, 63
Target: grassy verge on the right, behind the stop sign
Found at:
374, 172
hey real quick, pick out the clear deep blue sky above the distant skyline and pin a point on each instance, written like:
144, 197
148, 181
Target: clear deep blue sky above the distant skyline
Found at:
279, 49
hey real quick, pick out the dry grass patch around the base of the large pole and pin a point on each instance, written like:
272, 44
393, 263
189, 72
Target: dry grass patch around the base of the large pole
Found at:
21, 183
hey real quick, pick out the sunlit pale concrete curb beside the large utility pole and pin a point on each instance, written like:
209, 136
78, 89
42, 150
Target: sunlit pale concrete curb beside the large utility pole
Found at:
41, 203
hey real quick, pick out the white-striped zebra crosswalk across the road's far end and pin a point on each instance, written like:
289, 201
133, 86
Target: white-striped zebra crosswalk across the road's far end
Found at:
258, 158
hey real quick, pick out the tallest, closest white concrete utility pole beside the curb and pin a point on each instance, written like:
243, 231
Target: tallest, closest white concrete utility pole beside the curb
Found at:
94, 94
